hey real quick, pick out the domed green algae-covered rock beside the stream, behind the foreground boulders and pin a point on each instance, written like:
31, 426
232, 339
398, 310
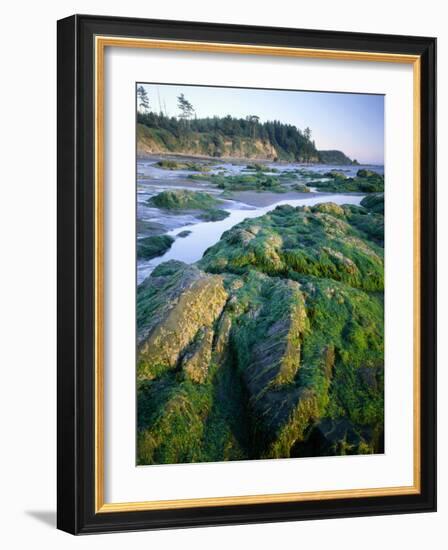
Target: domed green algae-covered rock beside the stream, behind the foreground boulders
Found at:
319, 242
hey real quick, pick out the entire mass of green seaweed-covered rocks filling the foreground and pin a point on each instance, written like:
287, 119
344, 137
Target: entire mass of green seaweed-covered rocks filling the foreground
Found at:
271, 346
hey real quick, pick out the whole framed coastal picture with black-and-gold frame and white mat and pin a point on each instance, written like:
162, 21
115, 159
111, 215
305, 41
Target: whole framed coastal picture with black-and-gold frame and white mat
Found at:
246, 274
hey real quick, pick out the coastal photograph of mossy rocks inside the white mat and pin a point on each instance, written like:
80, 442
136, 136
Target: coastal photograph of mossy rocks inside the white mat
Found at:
259, 274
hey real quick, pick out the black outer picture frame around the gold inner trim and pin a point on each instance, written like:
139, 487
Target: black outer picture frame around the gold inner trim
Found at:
76, 226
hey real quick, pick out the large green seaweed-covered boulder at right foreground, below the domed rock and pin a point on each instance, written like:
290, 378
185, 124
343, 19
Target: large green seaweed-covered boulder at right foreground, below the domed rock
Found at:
298, 366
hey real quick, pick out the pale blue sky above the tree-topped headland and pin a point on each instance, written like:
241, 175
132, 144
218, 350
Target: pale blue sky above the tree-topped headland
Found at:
352, 123
